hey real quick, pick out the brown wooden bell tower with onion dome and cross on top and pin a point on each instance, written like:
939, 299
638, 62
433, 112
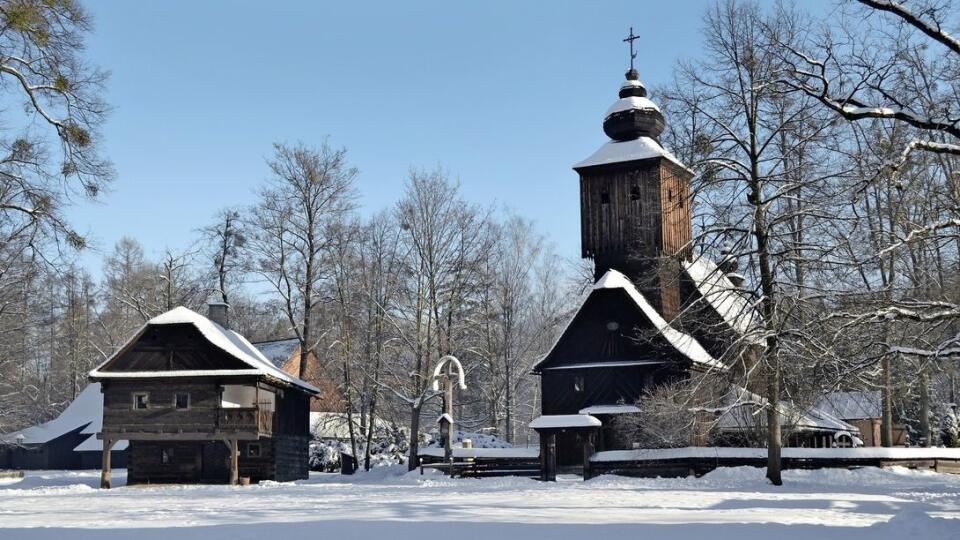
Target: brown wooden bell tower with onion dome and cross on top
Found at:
635, 212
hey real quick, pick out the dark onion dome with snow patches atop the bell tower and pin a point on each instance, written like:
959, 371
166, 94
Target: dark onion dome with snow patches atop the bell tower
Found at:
633, 115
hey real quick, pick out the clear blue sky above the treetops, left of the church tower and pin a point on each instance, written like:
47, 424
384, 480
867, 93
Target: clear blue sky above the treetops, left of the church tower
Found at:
504, 95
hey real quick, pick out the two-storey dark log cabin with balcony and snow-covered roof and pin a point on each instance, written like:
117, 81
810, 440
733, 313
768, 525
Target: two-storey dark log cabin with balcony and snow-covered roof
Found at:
199, 404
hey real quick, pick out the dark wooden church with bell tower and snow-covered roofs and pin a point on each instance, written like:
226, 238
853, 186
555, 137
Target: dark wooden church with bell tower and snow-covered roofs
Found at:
657, 313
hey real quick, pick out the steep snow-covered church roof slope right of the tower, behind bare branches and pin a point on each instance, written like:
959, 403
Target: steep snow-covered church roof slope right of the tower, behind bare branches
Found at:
725, 298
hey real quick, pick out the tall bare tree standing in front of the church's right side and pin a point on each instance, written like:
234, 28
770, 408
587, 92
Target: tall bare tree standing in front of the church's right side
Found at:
756, 143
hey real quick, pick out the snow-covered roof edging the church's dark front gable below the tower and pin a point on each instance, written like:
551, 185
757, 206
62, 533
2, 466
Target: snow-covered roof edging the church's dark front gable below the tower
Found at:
683, 343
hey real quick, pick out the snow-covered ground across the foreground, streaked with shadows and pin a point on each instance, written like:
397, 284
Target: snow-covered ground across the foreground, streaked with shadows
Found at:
731, 503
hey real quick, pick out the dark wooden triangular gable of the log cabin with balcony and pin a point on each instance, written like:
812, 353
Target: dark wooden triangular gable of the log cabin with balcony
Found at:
175, 347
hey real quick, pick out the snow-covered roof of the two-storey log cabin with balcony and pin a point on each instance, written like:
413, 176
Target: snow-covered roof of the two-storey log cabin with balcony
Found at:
228, 341
